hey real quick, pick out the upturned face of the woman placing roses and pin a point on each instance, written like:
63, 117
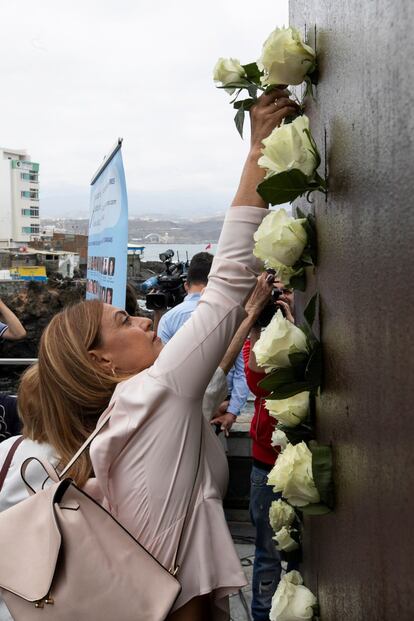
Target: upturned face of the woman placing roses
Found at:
128, 344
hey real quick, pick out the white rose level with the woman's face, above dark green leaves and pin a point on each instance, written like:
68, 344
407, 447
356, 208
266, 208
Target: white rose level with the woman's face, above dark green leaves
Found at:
279, 339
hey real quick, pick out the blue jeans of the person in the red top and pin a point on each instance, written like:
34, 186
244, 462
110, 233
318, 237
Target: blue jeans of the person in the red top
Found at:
266, 567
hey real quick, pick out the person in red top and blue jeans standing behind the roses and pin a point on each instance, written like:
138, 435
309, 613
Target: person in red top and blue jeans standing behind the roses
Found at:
267, 567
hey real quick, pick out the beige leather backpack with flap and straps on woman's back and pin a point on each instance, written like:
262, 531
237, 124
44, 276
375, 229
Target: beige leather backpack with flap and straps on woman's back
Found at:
64, 557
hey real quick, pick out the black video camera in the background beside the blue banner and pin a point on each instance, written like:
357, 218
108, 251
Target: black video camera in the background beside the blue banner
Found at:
167, 289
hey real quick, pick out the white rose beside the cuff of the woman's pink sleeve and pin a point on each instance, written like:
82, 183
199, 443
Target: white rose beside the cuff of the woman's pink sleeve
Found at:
280, 238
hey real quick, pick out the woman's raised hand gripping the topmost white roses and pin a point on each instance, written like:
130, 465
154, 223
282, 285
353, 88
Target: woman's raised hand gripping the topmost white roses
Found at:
267, 114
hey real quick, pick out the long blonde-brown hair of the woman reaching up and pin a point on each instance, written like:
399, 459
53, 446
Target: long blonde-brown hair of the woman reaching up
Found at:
63, 395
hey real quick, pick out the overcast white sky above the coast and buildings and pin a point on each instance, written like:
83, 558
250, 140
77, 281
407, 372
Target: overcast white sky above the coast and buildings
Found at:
77, 75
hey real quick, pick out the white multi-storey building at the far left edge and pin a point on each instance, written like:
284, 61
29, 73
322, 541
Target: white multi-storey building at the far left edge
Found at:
19, 198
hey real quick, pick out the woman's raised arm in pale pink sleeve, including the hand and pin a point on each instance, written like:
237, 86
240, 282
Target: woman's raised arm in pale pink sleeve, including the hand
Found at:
190, 358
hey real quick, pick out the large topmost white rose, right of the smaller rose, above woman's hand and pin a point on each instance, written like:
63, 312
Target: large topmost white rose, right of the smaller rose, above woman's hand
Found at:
285, 58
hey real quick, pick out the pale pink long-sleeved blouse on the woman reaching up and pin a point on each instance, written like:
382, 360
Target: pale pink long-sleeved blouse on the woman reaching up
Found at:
145, 459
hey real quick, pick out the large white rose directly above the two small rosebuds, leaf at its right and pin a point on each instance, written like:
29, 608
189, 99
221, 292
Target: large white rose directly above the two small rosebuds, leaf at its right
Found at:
292, 475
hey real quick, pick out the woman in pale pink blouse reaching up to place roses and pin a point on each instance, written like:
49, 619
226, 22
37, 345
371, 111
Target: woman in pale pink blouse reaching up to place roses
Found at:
94, 356
